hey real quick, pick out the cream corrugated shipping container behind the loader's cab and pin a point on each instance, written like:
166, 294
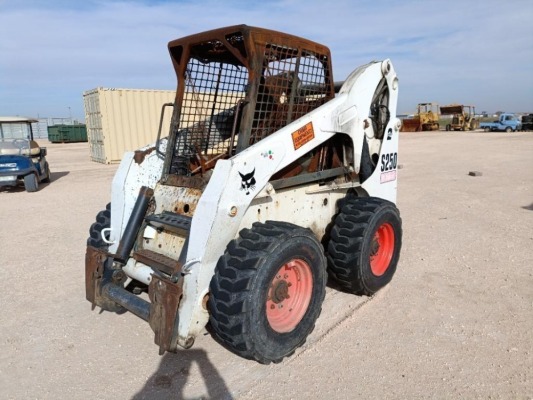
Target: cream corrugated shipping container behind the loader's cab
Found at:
120, 120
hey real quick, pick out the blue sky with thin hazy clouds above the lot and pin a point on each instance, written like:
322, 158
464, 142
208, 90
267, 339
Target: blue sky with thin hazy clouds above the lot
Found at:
445, 51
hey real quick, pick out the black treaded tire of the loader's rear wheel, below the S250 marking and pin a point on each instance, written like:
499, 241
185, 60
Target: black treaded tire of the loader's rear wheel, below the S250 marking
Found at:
353, 240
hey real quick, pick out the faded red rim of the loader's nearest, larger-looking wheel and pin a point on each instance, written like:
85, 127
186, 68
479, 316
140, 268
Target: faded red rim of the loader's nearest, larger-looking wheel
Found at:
289, 296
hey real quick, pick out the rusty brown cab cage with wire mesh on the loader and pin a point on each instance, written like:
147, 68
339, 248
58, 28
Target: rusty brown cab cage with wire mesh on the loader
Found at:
236, 86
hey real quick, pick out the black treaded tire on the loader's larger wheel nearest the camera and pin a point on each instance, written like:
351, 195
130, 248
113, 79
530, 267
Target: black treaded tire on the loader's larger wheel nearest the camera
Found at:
241, 284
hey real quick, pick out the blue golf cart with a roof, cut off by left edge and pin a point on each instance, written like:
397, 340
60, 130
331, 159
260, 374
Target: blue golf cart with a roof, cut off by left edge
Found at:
21, 158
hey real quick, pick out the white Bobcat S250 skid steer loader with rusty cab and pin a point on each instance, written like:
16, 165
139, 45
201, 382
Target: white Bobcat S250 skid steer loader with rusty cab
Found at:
267, 182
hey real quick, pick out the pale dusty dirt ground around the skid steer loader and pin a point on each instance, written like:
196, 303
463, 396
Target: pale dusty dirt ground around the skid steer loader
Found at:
455, 322
